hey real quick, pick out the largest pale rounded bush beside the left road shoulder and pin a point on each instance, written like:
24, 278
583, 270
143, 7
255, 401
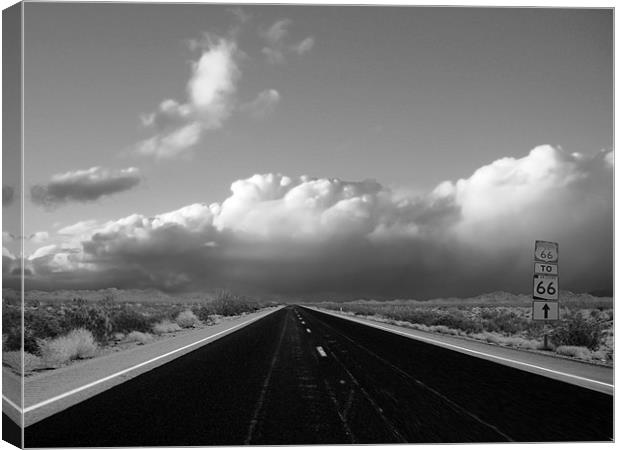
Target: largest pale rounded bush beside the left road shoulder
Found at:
78, 344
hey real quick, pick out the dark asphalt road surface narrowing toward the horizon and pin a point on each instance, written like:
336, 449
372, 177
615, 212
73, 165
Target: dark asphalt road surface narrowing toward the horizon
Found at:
299, 376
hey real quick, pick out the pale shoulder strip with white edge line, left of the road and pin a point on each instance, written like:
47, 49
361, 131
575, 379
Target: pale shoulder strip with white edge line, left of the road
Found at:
46, 393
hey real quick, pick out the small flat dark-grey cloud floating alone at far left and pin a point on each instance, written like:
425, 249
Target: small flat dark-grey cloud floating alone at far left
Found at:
84, 185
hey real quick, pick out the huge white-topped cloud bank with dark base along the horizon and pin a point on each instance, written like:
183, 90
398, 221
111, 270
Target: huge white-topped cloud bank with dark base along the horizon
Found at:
307, 236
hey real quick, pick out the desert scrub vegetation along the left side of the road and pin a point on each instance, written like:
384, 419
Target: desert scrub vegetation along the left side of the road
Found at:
58, 332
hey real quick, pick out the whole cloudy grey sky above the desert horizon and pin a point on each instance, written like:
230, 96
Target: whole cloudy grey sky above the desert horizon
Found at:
351, 151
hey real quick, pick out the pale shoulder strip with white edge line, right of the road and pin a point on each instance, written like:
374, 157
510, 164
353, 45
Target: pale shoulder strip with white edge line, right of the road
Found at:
591, 376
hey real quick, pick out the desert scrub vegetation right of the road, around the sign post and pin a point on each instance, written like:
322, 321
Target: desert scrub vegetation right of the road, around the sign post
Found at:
584, 331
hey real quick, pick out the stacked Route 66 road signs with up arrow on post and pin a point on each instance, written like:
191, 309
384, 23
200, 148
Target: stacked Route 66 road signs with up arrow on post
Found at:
545, 289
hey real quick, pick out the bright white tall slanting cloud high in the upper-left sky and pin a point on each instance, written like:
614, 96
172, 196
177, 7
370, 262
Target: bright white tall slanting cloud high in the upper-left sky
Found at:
178, 128
